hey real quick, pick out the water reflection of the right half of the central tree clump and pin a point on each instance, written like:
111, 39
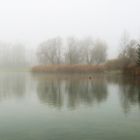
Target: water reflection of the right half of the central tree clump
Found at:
86, 91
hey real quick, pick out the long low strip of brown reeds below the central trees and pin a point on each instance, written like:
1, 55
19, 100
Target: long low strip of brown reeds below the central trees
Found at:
69, 69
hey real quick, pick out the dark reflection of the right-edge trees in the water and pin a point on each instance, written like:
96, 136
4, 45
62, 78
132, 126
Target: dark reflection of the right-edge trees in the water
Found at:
129, 91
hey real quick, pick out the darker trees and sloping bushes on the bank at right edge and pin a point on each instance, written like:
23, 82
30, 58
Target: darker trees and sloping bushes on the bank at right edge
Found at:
129, 53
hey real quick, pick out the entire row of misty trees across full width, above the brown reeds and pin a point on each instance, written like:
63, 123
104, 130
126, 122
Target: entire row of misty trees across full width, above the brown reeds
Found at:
69, 51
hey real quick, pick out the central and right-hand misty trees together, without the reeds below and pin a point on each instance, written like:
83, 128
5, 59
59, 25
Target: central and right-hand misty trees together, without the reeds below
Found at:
89, 51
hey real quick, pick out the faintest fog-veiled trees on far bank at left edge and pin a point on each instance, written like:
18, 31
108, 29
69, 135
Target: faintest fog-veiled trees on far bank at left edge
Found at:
12, 55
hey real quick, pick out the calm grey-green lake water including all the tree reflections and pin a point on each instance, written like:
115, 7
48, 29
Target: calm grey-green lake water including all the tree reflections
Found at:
46, 107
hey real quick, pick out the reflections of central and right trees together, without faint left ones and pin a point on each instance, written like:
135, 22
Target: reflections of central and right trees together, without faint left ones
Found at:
74, 92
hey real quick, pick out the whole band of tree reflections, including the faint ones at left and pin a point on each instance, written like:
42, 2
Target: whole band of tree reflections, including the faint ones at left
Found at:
70, 92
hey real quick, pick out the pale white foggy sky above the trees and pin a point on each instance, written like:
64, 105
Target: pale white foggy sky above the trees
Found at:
33, 21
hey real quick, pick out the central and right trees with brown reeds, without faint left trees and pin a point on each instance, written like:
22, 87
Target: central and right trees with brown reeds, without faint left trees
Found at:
88, 55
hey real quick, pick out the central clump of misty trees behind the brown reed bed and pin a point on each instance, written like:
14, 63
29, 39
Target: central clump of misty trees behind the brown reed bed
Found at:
72, 51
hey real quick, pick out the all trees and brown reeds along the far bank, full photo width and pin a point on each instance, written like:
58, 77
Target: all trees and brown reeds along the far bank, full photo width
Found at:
73, 55
